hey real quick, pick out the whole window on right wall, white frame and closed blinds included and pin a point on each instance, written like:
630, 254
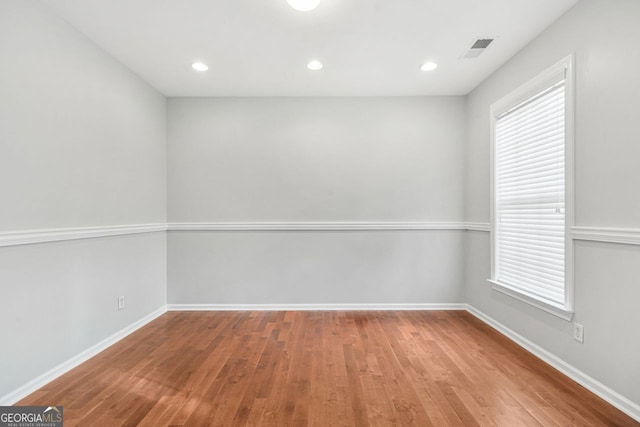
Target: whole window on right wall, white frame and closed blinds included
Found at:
532, 192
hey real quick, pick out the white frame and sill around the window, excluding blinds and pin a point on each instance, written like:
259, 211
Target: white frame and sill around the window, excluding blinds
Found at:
521, 94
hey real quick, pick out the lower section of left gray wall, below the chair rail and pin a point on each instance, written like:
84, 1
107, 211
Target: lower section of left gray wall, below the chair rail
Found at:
60, 298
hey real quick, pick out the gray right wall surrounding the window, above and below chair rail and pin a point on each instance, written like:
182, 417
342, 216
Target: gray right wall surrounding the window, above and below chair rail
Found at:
603, 35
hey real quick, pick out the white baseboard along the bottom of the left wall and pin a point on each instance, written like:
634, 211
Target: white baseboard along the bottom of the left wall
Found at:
42, 380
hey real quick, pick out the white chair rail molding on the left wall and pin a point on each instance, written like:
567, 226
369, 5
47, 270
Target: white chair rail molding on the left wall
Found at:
24, 237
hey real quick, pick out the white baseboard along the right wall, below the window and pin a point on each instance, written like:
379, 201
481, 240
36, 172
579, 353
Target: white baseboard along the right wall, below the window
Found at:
622, 403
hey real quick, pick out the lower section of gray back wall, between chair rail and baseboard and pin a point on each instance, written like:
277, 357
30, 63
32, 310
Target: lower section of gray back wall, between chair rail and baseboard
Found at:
316, 267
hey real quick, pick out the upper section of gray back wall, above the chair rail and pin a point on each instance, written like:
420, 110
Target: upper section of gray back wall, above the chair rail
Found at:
316, 159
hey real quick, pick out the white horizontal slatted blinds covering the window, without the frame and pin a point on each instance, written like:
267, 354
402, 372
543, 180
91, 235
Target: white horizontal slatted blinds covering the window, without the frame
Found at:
530, 195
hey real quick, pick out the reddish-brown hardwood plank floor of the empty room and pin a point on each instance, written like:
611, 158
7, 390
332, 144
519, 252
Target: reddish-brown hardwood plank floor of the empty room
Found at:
321, 369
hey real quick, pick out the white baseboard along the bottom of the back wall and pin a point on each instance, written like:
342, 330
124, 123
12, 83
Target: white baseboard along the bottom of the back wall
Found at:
315, 307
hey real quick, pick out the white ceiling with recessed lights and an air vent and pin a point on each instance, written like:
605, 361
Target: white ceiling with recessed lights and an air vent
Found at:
261, 47
